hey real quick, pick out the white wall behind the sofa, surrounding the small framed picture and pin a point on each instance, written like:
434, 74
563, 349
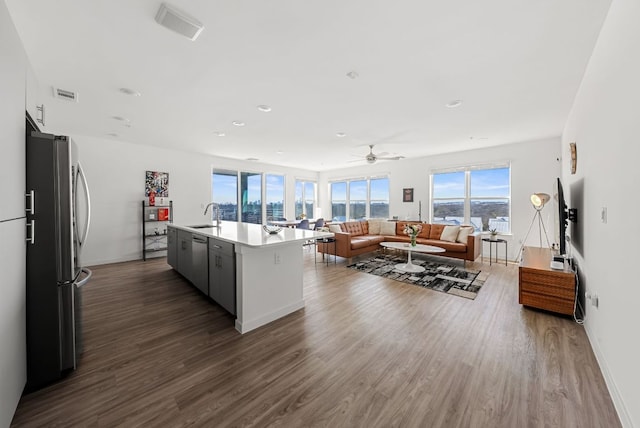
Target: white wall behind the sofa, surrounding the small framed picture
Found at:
534, 168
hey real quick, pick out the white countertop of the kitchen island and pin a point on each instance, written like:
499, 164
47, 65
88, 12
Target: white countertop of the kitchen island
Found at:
252, 234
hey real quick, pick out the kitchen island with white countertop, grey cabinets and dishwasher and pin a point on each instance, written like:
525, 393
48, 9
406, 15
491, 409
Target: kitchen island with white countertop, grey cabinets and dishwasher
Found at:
256, 276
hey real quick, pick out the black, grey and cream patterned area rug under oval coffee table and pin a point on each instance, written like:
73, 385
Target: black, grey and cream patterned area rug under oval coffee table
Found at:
438, 275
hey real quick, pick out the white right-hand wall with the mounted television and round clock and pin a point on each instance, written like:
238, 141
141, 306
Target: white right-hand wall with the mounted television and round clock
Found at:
604, 124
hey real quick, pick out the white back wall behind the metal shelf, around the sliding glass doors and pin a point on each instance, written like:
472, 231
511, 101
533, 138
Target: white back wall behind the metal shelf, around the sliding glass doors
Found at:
115, 172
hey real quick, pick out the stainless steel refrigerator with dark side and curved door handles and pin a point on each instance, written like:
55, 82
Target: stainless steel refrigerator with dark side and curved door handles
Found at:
58, 212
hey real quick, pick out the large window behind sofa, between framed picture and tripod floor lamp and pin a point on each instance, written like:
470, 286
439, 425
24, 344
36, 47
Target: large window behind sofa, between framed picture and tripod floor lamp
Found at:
477, 196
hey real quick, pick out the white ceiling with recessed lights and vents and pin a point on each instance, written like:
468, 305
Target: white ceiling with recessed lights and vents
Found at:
515, 64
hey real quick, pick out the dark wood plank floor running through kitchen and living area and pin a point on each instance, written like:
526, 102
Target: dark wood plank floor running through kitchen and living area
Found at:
364, 352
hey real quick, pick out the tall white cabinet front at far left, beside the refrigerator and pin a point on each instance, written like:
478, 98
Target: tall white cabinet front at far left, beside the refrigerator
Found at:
12, 222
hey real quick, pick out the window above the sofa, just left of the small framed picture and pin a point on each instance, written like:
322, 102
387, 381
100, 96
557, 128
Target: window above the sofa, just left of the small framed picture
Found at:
360, 198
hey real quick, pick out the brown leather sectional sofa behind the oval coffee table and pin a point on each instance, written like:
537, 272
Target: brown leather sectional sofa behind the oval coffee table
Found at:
355, 239
